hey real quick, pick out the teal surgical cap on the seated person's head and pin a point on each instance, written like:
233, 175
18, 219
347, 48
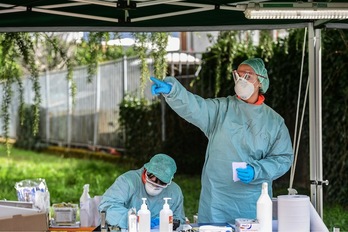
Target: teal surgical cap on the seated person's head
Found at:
162, 166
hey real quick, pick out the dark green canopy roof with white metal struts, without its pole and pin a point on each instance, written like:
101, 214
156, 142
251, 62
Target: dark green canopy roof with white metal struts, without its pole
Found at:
140, 15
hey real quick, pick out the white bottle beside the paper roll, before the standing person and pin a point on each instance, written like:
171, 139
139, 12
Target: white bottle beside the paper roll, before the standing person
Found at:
264, 210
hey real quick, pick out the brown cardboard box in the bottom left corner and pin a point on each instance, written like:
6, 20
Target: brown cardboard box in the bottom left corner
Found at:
34, 222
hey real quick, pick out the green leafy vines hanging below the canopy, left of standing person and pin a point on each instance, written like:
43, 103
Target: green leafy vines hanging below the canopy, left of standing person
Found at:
19, 56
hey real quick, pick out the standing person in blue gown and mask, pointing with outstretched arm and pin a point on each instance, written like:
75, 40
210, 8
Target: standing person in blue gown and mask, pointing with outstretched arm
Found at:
240, 128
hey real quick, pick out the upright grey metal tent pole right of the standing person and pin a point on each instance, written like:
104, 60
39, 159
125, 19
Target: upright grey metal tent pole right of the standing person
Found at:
315, 118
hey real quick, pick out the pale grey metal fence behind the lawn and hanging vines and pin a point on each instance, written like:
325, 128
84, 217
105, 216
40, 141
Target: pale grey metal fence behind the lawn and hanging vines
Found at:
93, 119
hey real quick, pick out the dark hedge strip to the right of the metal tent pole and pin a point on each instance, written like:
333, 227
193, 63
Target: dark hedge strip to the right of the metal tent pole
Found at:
334, 114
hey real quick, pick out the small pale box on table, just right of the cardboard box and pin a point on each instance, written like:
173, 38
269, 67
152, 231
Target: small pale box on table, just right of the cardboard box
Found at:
65, 213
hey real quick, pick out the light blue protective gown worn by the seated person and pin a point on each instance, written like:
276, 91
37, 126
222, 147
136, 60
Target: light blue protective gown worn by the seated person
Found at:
126, 192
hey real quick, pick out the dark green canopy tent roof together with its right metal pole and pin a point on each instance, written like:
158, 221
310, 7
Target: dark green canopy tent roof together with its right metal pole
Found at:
175, 15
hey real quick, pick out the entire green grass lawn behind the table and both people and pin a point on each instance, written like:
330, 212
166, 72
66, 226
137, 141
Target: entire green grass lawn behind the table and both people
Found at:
65, 178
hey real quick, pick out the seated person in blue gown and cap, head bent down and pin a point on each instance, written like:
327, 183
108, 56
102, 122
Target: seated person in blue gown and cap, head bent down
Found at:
154, 182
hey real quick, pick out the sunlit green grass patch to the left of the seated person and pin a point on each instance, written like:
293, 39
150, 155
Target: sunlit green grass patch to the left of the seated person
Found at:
71, 174
